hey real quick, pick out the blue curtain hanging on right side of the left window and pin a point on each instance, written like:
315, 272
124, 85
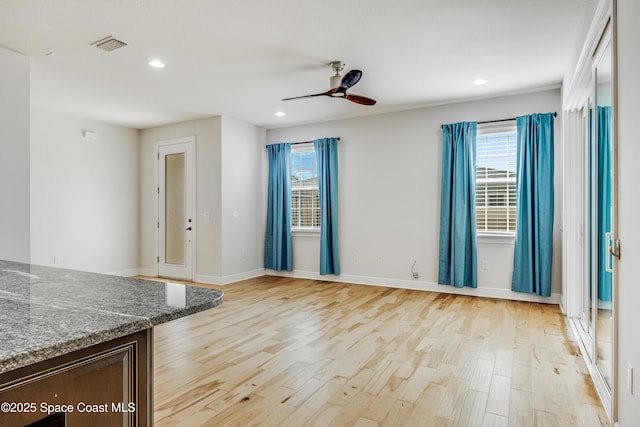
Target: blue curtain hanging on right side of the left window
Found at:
327, 163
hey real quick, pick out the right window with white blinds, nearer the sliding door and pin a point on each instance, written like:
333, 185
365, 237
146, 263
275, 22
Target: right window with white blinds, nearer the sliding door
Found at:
496, 180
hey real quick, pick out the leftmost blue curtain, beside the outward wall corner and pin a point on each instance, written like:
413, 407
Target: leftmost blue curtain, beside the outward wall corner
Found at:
278, 245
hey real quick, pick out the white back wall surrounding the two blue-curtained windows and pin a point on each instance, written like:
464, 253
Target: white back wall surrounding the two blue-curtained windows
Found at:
389, 182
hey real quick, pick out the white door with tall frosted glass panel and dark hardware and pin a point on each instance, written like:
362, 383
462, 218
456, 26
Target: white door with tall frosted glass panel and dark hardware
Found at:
176, 225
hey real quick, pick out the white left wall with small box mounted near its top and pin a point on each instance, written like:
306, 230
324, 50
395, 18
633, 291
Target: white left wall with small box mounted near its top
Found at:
84, 194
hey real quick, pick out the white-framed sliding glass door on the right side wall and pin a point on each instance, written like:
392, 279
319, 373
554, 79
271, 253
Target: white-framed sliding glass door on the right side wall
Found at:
590, 247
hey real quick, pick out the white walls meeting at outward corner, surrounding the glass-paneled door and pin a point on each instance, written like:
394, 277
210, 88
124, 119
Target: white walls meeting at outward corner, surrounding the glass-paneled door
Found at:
227, 248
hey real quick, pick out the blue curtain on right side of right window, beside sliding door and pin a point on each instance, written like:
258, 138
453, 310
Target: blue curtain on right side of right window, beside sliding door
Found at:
534, 205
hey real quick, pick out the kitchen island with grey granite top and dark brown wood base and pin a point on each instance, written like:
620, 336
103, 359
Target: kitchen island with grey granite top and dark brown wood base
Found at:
76, 348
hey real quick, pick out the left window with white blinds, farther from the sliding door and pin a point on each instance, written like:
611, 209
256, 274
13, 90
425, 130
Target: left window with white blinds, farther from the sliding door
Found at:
305, 198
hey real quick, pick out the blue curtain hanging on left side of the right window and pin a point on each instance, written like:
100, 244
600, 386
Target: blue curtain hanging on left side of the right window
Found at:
458, 249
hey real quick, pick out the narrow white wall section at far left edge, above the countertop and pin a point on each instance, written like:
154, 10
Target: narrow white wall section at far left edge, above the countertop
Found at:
14, 161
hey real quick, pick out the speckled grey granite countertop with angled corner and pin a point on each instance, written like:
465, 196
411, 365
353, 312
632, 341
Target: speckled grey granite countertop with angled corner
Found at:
46, 312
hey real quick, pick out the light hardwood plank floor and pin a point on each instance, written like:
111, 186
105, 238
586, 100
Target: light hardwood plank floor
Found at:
290, 352
